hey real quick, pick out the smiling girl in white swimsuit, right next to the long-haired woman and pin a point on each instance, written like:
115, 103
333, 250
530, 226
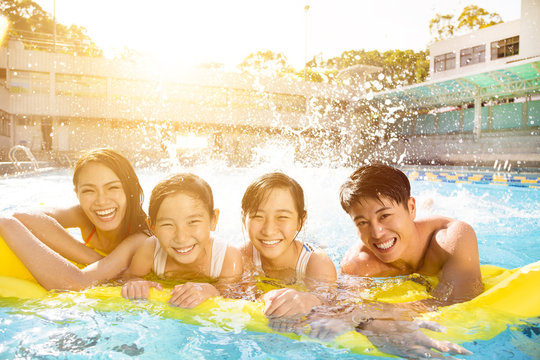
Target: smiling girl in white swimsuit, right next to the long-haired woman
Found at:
182, 217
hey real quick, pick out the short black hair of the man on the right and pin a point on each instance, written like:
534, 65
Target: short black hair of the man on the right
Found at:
375, 181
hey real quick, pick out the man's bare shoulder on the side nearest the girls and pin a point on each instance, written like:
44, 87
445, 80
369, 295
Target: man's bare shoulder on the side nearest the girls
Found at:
359, 261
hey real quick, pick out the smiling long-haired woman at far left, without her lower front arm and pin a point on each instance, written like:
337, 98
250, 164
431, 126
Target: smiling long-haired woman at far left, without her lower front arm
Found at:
109, 210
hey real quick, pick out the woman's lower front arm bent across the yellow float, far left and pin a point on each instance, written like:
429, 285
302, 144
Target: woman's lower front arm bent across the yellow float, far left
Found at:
53, 271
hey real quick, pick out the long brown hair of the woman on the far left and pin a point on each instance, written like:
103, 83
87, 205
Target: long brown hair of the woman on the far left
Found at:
135, 218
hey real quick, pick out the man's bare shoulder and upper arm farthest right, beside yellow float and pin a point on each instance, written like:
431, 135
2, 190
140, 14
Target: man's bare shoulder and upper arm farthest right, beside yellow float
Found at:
459, 278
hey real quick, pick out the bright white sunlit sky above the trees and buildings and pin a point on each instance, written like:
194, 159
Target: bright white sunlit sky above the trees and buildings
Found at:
226, 31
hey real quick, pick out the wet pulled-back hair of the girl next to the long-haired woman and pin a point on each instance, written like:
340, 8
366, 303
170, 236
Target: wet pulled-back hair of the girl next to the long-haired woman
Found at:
186, 183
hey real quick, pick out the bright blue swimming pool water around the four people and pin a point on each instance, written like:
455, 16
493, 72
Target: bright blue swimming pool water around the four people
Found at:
506, 220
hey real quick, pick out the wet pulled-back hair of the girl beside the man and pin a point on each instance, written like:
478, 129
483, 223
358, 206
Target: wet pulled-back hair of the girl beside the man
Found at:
258, 190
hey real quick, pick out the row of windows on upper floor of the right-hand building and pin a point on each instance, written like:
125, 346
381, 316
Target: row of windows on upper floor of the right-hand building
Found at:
477, 54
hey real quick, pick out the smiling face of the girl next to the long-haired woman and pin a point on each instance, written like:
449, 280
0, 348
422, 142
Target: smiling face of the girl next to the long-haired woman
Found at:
183, 227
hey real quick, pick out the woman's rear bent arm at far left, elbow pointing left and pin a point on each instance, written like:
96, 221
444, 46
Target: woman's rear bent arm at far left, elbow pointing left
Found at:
49, 228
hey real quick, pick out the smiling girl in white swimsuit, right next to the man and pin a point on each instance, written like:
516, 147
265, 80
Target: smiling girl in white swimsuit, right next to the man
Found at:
273, 214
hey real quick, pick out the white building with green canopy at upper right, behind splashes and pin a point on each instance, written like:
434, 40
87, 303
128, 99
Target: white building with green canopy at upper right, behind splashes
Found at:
481, 105
